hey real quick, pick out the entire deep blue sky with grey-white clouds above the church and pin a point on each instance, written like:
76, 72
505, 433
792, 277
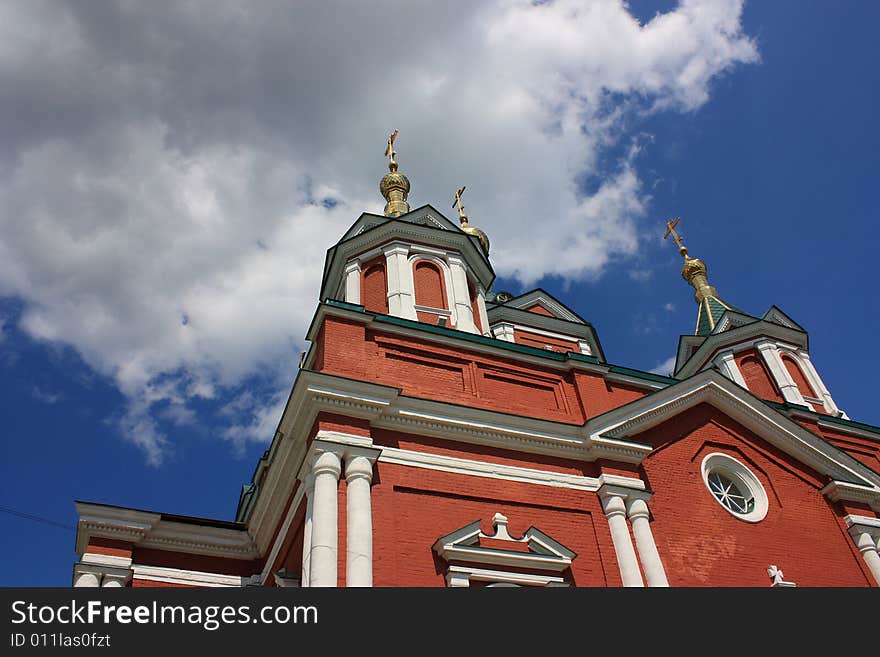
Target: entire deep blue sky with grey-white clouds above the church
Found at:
770, 156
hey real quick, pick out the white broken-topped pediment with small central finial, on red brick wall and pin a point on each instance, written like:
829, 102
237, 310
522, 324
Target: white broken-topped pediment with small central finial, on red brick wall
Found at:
535, 558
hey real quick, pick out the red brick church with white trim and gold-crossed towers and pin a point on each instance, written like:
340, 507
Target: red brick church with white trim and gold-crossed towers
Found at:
440, 434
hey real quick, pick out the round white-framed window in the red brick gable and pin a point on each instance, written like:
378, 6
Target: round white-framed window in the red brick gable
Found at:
734, 487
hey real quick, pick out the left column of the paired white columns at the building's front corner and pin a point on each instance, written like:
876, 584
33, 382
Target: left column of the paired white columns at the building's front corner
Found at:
325, 521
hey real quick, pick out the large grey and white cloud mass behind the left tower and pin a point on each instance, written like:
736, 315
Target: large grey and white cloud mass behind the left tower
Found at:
171, 175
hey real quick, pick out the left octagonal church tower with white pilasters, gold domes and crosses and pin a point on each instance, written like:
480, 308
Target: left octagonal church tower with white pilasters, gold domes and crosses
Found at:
412, 264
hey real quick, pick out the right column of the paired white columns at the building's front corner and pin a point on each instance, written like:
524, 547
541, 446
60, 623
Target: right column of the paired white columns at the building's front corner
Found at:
359, 516
